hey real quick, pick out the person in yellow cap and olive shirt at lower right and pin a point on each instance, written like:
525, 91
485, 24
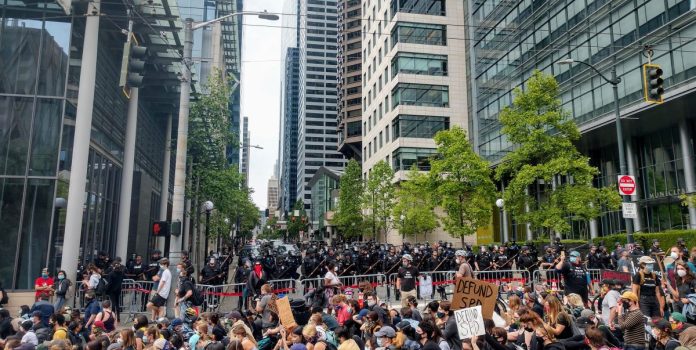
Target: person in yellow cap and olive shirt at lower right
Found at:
631, 322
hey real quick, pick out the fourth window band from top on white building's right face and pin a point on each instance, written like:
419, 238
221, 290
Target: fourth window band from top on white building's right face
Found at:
420, 95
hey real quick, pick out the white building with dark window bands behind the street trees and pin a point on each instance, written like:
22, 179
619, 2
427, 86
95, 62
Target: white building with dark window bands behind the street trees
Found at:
414, 80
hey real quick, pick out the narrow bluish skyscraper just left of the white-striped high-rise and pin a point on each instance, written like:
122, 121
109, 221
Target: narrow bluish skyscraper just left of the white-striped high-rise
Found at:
290, 90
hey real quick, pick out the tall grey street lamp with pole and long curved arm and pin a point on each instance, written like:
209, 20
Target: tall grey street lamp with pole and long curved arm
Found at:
182, 130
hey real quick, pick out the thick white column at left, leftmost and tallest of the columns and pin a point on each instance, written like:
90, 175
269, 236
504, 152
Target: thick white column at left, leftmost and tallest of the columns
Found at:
80, 151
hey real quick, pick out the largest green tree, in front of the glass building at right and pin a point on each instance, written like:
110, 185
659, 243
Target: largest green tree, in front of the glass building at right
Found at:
544, 134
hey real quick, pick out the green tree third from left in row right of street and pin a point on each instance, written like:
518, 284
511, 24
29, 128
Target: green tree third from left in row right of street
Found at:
414, 211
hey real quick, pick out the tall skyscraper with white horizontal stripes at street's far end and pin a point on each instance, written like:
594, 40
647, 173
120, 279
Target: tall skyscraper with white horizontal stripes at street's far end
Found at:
318, 140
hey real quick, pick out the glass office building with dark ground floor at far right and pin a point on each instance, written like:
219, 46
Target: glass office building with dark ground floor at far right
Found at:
509, 40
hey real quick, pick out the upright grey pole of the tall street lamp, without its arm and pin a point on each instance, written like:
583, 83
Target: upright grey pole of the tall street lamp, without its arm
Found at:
182, 143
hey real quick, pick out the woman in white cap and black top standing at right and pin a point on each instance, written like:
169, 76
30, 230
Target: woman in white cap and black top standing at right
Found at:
646, 285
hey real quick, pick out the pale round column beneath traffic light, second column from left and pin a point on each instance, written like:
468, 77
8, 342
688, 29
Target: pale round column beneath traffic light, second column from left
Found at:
127, 176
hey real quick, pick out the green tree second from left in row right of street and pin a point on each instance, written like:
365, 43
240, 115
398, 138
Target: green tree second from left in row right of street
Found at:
378, 198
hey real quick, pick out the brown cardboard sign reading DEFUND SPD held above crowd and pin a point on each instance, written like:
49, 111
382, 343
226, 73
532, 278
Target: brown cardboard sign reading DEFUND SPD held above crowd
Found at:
469, 292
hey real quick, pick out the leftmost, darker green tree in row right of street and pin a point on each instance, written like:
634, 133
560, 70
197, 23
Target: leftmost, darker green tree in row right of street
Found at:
348, 216
